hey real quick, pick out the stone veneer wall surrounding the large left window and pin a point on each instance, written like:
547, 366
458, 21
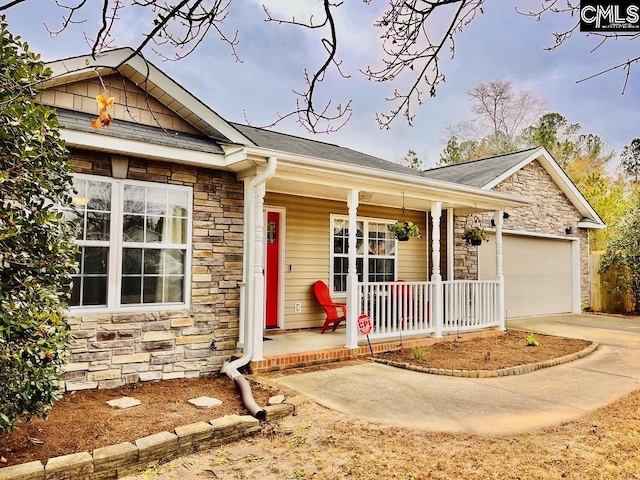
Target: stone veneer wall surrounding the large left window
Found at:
110, 350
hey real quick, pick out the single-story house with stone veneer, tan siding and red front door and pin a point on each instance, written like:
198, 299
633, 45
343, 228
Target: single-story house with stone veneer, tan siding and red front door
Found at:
197, 235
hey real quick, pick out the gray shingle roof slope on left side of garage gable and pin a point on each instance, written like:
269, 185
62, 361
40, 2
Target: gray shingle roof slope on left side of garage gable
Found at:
479, 172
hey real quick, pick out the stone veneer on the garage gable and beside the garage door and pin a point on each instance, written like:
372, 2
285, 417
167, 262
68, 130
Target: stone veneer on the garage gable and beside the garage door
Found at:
551, 213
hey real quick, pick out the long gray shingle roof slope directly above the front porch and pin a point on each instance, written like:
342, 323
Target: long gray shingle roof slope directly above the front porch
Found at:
303, 146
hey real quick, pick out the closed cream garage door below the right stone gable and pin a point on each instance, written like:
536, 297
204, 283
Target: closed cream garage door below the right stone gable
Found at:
537, 274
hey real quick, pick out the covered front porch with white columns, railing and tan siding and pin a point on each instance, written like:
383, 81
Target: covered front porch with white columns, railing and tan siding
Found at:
409, 291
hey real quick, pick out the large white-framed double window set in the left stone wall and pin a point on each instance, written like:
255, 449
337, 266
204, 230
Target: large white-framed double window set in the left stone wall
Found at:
134, 241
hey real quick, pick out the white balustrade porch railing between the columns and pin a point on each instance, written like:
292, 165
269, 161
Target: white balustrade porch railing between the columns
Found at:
407, 308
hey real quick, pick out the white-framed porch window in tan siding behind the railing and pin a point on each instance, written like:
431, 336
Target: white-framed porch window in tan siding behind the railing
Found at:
376, 259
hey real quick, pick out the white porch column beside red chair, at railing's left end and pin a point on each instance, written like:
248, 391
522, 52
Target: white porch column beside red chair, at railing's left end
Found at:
352, 272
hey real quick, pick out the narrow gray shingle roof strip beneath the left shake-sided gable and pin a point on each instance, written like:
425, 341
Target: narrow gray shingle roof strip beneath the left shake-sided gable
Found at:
80, 121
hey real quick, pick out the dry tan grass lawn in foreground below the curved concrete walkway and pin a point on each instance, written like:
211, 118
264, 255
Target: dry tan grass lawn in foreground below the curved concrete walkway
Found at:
322, 444
